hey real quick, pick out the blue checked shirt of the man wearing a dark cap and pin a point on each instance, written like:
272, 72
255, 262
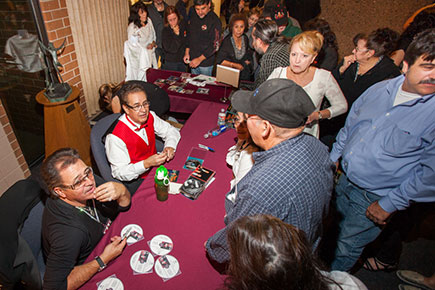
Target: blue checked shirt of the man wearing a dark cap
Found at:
291, 181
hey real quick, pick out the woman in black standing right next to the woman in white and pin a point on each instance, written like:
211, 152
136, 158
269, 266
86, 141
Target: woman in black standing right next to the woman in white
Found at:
174, 40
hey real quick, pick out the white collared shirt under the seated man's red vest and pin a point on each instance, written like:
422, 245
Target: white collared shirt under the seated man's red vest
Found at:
117, 153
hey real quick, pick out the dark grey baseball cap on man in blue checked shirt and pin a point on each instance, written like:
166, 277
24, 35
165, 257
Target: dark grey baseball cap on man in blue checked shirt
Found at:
280, 101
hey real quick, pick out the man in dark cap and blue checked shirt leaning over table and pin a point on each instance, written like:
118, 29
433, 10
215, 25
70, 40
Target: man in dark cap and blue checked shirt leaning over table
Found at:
292, 178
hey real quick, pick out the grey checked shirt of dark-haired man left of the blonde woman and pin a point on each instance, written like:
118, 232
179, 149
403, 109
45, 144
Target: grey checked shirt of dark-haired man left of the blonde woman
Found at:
277, 55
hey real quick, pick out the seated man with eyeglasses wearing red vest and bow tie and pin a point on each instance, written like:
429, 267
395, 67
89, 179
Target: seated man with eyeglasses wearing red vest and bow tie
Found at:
130, 143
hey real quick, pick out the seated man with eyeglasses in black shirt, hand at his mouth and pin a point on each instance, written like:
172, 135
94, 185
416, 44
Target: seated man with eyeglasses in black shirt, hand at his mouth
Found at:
77, 214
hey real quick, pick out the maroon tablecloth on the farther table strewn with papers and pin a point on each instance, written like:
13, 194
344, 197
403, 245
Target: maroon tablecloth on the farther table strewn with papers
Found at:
187, 103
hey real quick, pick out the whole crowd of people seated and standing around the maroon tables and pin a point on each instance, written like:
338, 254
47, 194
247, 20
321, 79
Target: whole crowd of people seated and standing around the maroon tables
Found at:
378, 117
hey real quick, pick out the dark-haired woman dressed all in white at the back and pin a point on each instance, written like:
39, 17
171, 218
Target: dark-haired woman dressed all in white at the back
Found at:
139, 49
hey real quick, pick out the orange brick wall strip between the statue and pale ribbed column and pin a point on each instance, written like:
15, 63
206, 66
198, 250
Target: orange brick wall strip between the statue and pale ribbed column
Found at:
58, 28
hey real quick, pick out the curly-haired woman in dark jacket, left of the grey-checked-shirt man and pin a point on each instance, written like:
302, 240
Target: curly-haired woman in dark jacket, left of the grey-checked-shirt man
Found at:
235, 51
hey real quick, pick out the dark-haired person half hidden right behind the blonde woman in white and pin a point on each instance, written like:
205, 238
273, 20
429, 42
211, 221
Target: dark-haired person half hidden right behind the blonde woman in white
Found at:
328, 55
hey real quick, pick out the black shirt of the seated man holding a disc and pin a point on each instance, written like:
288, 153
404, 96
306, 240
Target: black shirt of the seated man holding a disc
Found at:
69, 236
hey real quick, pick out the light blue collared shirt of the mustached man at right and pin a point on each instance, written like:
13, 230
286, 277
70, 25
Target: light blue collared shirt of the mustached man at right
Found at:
390, 150
